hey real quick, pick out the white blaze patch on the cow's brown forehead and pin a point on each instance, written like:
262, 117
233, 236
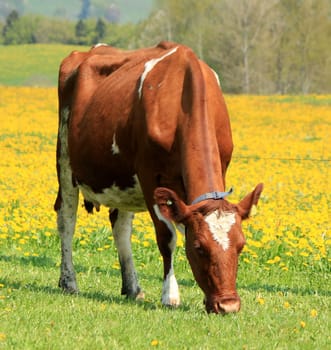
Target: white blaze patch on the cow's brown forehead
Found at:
220, 224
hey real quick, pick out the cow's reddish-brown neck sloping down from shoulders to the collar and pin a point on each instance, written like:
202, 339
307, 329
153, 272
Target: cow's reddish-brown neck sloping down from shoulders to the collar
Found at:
201, 157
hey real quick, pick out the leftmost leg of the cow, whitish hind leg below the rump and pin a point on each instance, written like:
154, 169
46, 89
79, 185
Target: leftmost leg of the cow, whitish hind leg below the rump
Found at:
66, 208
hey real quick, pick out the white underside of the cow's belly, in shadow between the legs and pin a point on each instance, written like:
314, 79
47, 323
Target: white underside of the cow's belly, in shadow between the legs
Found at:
130, 199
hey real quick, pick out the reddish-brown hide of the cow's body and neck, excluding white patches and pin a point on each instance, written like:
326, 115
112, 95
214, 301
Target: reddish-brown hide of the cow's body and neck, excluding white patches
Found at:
170, 119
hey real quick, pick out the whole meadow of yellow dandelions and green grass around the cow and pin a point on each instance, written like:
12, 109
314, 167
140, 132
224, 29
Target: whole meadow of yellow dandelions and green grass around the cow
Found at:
284, 272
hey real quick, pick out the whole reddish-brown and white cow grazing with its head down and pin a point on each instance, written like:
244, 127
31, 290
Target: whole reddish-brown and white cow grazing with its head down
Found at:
149, 129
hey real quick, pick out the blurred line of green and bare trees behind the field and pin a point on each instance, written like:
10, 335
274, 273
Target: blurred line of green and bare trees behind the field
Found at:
257, 46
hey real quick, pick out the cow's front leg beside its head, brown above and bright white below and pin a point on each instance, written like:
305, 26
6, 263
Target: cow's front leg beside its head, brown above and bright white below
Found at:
166, 240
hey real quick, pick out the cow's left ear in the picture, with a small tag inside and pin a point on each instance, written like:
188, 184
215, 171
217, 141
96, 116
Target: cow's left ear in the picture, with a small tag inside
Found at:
170, 205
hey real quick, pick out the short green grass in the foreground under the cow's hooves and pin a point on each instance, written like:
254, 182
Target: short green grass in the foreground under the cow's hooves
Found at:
280, 310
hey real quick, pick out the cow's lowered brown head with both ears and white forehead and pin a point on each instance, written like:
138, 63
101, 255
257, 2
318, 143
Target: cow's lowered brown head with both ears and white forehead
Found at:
213, 242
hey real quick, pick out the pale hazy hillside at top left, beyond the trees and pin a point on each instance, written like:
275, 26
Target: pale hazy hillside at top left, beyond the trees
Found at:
120, 10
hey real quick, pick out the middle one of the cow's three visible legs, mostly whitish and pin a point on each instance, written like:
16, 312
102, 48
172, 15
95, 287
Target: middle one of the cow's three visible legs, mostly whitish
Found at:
122, 227
